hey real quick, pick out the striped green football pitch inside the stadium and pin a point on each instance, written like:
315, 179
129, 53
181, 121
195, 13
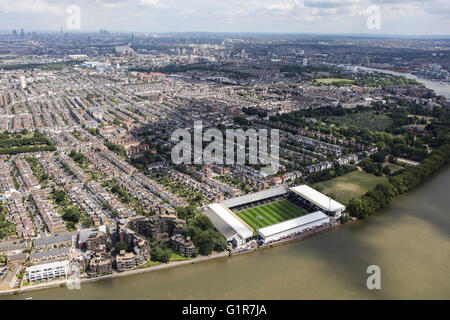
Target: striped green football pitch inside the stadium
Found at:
270, 213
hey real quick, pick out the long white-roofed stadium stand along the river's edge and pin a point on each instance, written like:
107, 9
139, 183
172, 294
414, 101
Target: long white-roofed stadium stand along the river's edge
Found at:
294, 226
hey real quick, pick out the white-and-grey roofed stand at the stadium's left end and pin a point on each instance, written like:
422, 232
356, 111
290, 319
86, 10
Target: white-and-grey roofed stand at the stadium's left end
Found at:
225, 221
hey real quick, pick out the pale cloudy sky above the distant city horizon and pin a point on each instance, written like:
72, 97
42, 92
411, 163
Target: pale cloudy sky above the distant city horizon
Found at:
399, 17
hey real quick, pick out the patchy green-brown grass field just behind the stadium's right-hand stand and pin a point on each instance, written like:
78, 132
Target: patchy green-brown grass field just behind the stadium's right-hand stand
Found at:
350, 185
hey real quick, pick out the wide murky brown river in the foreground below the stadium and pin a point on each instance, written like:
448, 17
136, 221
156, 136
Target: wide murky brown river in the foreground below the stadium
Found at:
409, 241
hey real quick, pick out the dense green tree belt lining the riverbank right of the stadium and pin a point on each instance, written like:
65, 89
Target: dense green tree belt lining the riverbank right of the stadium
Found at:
405, 181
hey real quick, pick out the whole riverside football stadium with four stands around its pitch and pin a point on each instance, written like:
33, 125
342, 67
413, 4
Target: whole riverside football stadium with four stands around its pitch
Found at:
274, 214
